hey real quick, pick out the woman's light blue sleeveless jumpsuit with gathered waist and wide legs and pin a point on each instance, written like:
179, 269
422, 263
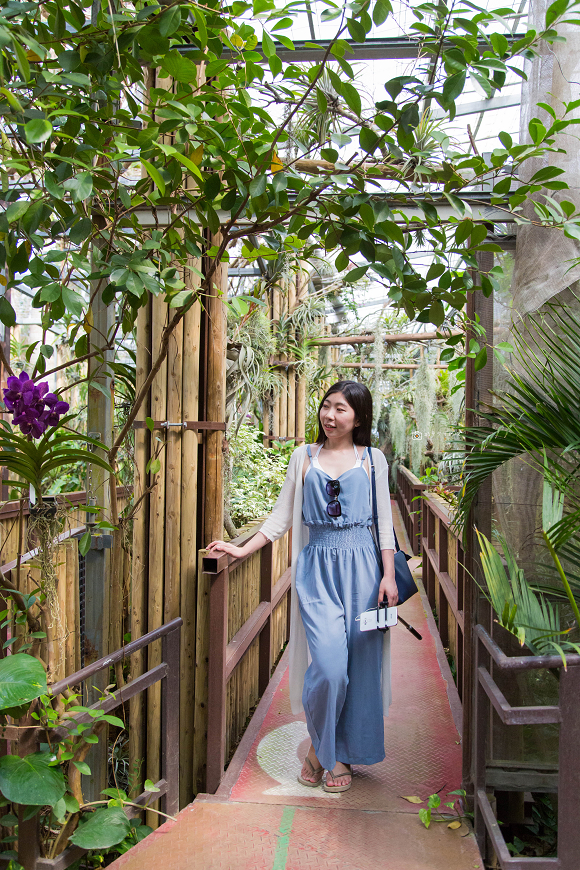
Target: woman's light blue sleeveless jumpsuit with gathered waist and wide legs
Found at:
337, 578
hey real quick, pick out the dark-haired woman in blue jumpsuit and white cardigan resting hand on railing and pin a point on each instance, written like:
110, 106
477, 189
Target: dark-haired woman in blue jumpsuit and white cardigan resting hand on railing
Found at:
335, 669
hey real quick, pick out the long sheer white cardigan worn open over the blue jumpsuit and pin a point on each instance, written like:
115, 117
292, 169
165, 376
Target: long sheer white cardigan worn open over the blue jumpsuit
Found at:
287, 512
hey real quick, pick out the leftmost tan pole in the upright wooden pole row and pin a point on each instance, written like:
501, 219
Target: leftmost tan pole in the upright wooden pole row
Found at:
139, 568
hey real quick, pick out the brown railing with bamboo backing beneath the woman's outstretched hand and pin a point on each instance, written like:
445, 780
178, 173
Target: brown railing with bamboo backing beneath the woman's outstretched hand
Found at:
249, 617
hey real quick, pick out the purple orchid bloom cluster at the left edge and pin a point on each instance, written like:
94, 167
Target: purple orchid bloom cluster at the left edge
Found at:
34, 409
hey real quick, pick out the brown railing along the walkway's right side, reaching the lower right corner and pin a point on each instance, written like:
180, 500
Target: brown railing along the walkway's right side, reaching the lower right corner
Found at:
480, 662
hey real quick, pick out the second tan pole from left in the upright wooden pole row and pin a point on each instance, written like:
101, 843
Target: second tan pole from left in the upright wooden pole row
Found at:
156, 546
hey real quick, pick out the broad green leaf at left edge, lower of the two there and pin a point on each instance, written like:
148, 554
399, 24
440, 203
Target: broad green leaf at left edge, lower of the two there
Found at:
31, 780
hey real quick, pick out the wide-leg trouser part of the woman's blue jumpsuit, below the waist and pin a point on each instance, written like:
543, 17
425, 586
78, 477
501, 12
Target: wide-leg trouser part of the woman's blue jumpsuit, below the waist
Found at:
342, 696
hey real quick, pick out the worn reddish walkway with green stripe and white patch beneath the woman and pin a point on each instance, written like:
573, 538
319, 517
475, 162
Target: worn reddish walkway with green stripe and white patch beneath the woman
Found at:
263, 819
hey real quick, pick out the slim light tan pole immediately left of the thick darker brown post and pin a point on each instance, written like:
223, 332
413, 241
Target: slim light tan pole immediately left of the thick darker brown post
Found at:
189, 475
